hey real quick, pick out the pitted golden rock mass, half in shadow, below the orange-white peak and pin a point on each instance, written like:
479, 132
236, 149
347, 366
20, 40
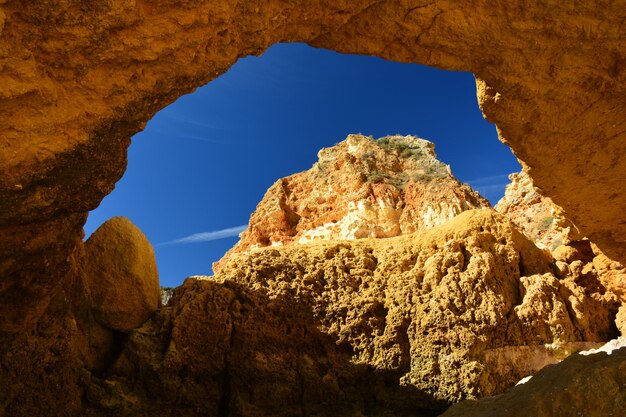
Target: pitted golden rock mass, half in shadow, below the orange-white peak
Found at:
372, 326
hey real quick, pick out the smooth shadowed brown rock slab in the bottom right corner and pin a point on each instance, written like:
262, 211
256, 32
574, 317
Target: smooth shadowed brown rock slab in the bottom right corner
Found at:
590, 386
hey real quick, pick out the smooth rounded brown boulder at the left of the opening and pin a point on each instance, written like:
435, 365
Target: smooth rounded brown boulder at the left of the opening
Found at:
120, 275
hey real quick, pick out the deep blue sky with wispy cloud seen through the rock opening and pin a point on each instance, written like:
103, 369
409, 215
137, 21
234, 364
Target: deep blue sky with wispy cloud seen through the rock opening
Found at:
198, 170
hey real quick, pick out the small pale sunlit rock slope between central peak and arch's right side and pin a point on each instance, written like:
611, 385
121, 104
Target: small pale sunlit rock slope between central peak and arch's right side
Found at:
536, 216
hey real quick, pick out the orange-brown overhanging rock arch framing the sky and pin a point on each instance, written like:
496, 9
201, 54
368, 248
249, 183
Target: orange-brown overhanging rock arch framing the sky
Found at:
79, 78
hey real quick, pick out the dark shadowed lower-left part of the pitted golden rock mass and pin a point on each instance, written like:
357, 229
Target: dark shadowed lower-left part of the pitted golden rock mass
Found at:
221, 349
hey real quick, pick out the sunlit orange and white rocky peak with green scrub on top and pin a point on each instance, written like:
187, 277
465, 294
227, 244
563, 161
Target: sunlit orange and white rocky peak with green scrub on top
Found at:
359, 188
